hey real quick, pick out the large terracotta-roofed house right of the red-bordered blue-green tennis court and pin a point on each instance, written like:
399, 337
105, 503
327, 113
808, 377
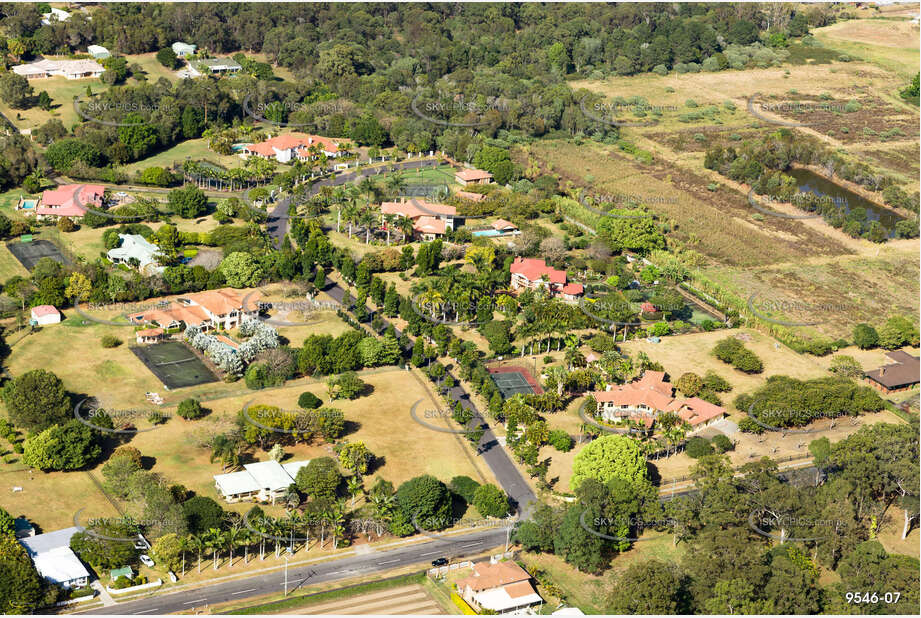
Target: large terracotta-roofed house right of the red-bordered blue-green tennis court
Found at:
644, 399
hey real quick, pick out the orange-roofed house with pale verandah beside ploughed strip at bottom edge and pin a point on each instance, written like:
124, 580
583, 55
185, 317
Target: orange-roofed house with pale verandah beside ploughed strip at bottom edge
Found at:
503, 587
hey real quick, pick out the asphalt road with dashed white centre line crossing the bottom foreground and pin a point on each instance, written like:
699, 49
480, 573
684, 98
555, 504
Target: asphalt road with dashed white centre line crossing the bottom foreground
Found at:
325, 571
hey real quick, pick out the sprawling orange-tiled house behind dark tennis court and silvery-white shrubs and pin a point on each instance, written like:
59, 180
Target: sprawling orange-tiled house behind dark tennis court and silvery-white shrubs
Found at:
221, 308
